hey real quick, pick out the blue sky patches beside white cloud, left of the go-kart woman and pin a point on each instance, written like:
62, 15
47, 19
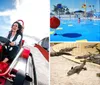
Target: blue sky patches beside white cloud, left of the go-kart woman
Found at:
5, 25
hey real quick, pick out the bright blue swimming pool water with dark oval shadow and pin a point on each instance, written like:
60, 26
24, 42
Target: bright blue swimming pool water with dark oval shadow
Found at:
73, 31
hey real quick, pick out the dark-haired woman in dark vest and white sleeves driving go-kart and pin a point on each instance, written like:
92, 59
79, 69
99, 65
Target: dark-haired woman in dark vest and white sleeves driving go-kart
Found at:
11, 49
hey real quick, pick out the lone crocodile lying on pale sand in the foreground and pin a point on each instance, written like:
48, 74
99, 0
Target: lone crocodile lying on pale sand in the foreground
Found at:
77, 69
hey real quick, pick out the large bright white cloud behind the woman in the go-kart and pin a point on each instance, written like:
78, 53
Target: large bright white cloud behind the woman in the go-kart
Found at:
34, 13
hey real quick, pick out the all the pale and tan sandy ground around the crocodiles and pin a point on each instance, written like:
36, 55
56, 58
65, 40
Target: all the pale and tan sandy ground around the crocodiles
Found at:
59, 66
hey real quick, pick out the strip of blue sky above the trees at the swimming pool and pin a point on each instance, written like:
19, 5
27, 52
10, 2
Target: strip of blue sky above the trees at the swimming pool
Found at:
76, 4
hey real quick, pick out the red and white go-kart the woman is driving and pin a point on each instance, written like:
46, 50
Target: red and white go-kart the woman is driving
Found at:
21, 71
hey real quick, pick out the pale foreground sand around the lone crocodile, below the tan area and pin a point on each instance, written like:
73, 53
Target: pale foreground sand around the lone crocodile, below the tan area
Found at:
59, 67
